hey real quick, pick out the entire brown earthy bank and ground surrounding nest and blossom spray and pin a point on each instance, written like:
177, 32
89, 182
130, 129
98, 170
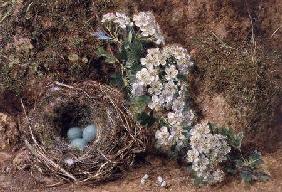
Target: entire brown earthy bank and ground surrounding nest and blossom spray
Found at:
236, 45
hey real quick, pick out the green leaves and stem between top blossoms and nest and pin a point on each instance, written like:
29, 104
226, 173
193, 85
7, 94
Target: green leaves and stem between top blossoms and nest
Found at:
128, 53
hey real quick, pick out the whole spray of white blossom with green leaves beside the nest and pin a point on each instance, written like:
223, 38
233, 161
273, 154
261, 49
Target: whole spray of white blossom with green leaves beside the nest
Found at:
159, 82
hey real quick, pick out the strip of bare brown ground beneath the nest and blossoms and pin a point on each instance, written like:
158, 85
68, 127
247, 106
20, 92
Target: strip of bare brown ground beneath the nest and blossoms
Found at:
177, 179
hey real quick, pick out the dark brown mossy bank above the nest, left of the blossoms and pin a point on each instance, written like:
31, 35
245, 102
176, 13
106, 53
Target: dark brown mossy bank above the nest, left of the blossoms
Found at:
56, 30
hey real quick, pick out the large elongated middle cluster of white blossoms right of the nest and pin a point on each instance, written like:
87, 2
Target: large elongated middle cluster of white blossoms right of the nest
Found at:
159, 78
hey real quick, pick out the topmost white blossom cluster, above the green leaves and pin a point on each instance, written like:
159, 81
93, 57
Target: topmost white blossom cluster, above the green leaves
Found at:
145, 21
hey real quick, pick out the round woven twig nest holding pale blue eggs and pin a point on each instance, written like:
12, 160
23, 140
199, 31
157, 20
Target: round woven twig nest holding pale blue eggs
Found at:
118, 140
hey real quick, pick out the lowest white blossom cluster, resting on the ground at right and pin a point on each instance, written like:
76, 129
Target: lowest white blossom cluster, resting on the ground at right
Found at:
207, 151
